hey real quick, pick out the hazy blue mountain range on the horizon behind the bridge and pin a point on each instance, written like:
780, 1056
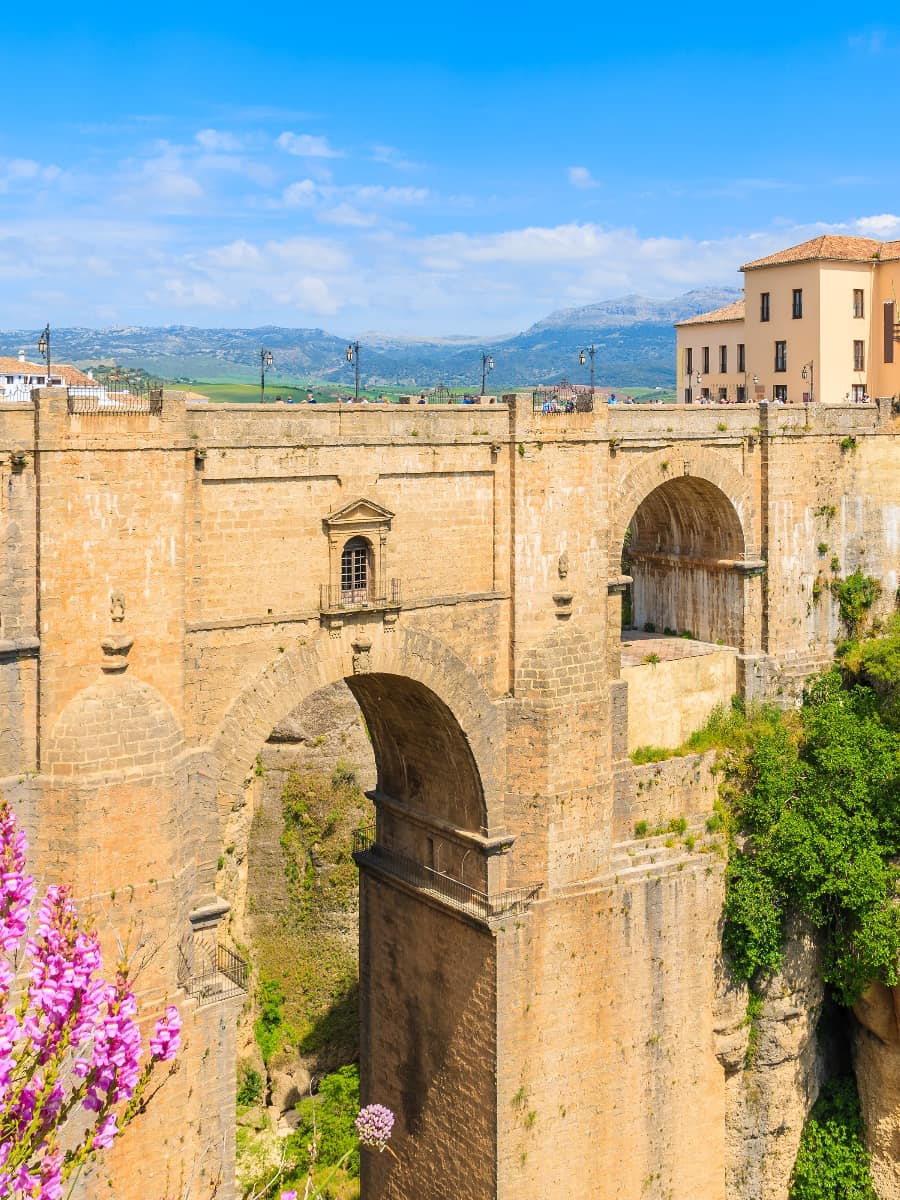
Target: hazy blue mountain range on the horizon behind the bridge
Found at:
634, 339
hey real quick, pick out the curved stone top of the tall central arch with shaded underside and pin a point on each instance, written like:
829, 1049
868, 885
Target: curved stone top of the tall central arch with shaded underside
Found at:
405, 682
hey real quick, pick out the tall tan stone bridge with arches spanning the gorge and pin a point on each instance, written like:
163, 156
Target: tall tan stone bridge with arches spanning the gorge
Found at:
542, 1003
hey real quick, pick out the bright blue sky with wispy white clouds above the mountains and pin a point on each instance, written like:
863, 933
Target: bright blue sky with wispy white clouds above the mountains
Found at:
427, 170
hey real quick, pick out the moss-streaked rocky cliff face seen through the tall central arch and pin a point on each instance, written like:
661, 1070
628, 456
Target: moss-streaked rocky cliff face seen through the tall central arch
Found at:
292, 884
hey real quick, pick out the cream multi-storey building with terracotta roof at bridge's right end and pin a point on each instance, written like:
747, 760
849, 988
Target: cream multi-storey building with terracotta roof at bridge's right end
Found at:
819, 323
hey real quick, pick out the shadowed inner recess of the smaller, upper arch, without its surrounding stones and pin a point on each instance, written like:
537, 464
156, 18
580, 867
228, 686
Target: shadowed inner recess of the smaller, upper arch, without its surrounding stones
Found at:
685, 550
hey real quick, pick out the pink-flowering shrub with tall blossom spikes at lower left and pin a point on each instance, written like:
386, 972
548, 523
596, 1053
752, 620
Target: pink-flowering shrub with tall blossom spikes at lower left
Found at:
70, 1046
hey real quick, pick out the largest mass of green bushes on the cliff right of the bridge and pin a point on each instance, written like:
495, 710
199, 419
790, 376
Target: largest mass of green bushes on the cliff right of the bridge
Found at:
818, 802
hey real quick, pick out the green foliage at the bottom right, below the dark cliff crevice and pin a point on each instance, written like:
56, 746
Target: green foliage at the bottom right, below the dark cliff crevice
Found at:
832, 1161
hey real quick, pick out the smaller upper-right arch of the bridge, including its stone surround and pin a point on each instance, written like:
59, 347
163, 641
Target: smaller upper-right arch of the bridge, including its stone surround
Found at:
693, 547
